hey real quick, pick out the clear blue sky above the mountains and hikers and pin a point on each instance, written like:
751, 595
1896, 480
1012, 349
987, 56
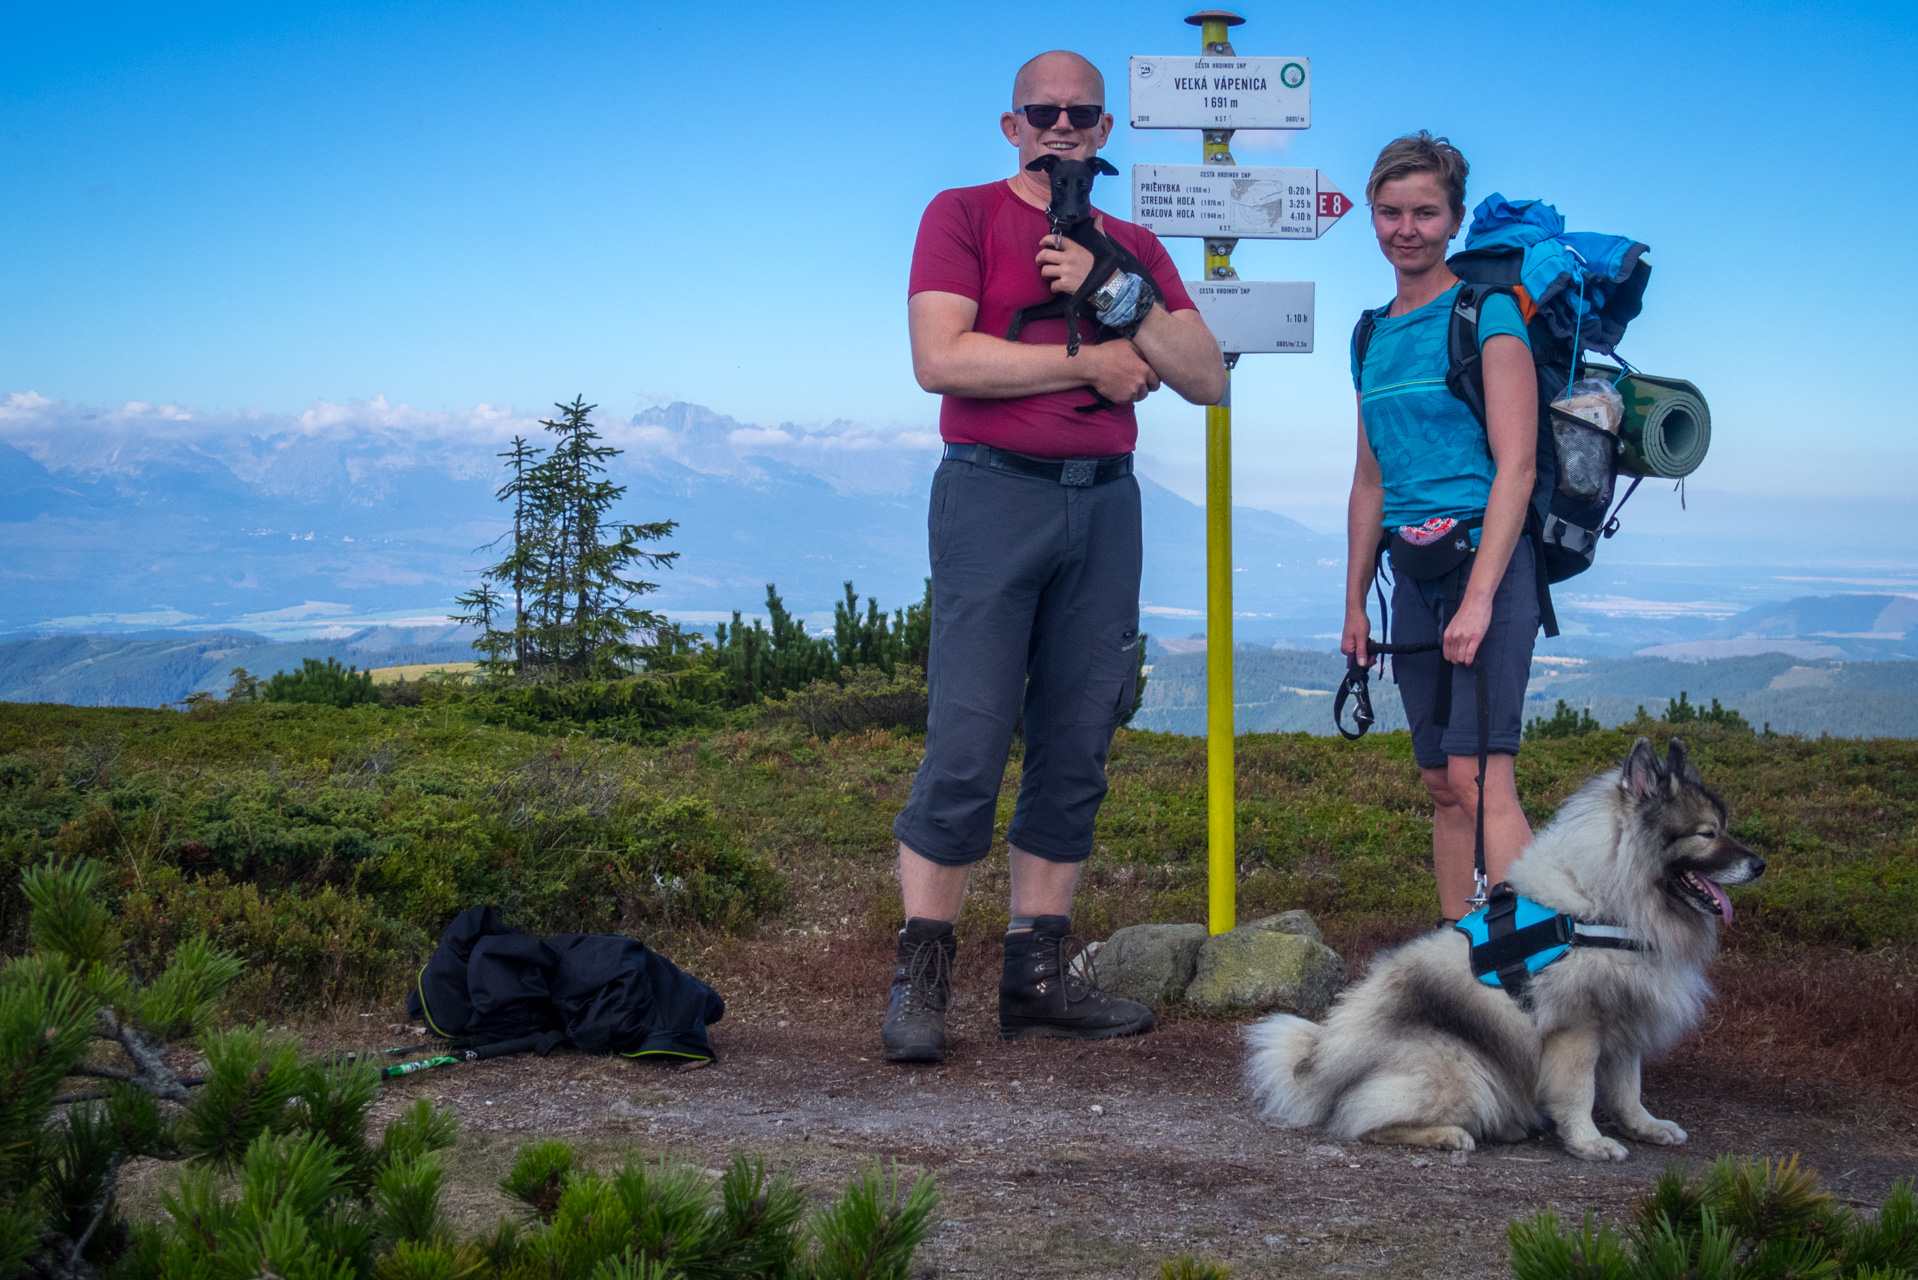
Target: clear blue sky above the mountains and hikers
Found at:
448, 204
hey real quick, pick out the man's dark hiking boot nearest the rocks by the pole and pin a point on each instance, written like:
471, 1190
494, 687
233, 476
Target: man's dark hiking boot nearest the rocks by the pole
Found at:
1052, 989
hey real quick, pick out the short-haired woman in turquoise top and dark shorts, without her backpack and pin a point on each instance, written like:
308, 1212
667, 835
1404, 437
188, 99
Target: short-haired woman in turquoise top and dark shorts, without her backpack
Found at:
1426, 473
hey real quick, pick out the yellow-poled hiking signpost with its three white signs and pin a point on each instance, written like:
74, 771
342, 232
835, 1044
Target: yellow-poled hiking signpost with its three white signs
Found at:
1225, 202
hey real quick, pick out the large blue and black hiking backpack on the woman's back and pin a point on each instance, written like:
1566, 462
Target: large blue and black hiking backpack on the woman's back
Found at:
1593, 289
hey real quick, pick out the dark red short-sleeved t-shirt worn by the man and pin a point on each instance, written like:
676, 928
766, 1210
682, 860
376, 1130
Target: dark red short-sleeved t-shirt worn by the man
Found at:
981, 243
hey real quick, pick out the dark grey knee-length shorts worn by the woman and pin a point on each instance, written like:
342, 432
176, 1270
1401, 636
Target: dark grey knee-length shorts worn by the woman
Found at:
1505, 659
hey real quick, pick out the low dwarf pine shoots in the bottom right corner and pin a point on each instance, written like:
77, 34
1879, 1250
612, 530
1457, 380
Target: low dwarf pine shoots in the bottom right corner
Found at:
1741, 1220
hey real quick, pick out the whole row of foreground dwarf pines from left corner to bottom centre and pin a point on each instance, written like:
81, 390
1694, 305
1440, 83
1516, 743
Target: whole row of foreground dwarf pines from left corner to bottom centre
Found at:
283, 1179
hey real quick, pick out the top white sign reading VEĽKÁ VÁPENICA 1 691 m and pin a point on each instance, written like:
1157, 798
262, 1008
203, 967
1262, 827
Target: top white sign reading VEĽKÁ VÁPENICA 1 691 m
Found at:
1221, 93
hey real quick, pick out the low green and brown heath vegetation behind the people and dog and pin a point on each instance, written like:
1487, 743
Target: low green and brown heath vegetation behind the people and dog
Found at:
327, 847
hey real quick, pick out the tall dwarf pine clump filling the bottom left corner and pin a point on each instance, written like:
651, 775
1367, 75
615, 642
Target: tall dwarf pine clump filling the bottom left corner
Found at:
289, 1133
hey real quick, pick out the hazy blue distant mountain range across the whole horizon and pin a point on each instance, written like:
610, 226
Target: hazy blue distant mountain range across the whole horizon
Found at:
321, 525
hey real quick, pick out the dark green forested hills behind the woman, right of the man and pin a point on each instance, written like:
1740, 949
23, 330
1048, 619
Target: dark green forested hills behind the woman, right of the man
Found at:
1292, 692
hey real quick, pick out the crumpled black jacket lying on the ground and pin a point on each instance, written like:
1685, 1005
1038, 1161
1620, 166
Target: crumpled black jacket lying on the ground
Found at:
599, 991
